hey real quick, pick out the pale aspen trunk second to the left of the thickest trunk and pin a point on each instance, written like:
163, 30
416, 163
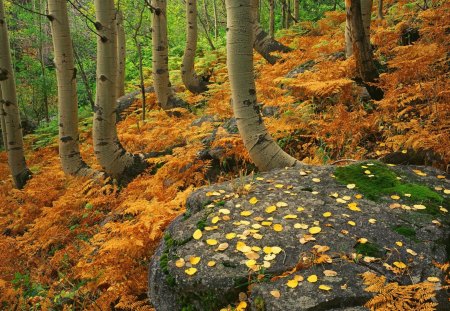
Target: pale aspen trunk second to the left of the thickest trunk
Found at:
164, 93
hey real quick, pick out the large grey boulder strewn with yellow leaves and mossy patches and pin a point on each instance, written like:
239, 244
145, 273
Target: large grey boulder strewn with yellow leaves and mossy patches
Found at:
300, 239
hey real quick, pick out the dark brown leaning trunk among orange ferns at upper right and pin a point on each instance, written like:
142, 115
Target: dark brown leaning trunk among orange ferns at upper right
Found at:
361, 48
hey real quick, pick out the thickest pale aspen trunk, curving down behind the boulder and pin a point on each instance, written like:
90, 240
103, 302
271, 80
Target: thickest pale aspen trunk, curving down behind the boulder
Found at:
263, 150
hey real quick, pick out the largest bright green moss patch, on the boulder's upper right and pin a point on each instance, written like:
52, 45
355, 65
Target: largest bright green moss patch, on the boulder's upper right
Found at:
376, 180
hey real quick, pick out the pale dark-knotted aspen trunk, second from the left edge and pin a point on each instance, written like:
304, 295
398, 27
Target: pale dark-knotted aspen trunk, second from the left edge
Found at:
69, 150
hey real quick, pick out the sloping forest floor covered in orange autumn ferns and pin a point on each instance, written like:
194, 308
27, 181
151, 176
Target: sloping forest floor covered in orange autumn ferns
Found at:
72, 243
